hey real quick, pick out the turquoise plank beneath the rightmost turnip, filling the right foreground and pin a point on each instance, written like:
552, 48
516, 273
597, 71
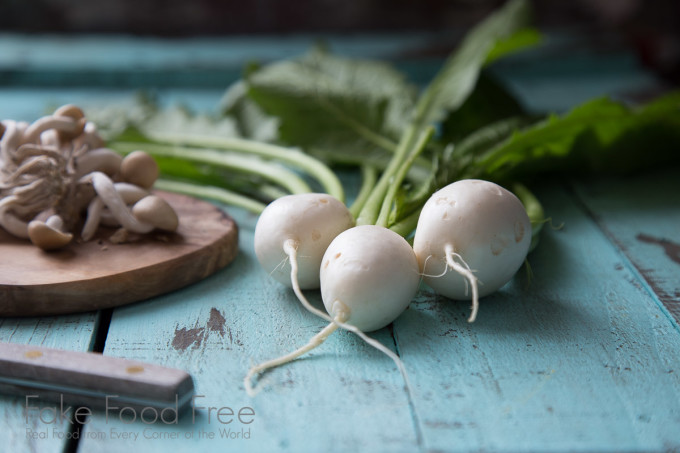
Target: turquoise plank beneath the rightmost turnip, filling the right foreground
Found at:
583, 359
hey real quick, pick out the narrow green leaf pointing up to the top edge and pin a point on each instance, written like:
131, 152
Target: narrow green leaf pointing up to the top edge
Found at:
458, 76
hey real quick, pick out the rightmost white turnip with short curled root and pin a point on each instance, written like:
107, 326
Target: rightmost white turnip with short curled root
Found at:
479, 230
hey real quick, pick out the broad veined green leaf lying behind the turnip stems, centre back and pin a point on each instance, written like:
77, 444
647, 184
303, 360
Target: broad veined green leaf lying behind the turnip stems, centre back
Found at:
336, 104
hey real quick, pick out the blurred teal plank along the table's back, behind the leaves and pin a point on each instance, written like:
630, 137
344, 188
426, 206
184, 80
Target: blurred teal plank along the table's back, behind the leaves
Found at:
126, 61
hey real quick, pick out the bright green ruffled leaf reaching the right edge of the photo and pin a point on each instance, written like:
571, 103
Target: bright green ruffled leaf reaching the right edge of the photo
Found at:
600, 136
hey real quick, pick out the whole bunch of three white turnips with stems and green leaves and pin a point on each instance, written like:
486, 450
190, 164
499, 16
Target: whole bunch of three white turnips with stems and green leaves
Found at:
447, 166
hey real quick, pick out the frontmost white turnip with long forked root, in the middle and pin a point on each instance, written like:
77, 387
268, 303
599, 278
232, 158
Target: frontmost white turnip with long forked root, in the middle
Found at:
368, 276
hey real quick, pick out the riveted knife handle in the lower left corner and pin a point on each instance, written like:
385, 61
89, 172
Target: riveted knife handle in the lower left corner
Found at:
91, 379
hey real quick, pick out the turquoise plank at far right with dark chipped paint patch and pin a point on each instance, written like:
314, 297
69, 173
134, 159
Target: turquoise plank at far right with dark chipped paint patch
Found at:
649, 236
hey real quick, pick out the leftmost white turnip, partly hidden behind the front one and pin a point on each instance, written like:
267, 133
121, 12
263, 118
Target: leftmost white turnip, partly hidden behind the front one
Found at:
292, 235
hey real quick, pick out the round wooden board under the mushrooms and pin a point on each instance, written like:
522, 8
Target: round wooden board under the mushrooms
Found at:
100, 274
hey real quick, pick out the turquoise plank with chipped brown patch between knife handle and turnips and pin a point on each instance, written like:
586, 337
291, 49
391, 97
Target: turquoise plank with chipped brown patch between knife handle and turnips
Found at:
342, 397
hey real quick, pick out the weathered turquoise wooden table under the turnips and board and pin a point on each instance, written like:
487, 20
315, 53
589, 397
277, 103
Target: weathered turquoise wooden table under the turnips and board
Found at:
584, 357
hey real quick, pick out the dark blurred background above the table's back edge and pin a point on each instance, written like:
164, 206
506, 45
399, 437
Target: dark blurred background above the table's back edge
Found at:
651, 27
